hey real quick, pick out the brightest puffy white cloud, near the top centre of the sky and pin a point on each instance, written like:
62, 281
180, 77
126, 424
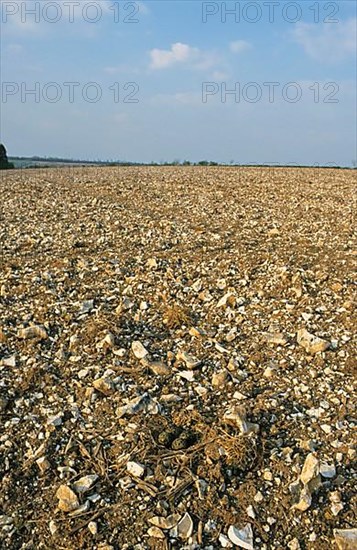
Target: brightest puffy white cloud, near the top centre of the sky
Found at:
183, 54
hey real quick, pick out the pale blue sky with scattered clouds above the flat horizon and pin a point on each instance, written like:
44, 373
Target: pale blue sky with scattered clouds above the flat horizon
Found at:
163, 80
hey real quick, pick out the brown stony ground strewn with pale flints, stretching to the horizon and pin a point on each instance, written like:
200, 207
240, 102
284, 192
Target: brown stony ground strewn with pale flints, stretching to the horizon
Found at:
176, 358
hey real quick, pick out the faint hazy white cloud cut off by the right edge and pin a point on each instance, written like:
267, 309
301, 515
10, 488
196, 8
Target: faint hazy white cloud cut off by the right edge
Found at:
331, 43
